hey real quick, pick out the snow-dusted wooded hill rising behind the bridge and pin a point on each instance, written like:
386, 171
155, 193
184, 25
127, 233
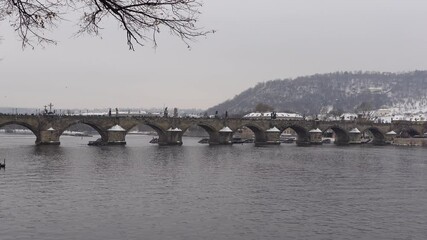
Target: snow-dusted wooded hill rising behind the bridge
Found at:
340, 91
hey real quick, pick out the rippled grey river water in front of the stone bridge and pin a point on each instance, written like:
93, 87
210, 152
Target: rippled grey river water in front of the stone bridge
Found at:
194, 191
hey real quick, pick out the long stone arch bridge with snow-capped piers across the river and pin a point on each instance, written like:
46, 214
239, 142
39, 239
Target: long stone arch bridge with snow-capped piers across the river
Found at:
113, 129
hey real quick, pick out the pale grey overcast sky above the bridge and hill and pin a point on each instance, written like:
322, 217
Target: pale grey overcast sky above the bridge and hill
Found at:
256, 41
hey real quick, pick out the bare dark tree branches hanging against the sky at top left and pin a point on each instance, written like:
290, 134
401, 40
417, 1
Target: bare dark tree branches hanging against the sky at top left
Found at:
141, 20
